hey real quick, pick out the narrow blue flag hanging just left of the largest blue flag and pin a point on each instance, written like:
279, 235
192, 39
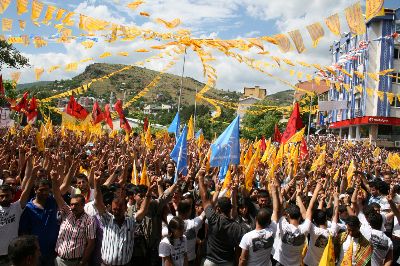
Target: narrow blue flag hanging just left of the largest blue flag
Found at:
179, 154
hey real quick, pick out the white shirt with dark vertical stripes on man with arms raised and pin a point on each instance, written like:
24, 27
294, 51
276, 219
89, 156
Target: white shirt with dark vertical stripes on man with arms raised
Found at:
117, 245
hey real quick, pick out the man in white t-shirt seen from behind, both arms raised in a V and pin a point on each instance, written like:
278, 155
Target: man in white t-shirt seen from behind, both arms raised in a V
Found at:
291, 236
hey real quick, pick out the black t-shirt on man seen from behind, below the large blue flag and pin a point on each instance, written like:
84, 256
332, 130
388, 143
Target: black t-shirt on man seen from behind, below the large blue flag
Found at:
224, 235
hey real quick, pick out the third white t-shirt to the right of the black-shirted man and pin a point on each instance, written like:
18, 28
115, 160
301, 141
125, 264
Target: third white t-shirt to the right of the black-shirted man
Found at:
318, 241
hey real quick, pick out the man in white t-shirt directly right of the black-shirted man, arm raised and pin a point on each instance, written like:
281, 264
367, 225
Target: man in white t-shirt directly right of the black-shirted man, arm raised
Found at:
256, 245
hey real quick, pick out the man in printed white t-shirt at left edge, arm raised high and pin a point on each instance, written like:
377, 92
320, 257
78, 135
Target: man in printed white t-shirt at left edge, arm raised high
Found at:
10, 212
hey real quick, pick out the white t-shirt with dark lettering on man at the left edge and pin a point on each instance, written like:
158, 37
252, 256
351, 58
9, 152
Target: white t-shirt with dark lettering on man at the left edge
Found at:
9, 224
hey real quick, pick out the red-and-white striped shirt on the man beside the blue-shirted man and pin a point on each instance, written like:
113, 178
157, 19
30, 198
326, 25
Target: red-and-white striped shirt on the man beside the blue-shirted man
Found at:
74, 234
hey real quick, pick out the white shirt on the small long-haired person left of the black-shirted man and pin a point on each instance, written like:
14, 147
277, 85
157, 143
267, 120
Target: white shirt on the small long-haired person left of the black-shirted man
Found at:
176, 251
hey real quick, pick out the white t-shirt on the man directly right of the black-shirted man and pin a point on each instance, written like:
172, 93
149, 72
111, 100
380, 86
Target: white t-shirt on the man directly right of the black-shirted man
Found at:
259, 244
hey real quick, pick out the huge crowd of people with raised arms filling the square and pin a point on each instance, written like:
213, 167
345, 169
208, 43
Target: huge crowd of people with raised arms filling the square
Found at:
77, 203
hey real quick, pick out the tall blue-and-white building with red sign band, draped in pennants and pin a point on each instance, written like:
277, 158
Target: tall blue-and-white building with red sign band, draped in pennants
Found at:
373, 110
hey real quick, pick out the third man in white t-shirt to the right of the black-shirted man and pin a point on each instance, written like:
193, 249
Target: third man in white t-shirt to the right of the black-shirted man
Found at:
320, 232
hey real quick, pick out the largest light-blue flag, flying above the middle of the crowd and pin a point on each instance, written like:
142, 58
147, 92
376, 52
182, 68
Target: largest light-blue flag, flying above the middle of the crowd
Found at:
227, 146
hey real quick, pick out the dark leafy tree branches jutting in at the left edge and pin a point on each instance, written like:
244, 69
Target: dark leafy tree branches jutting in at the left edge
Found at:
11, 57
